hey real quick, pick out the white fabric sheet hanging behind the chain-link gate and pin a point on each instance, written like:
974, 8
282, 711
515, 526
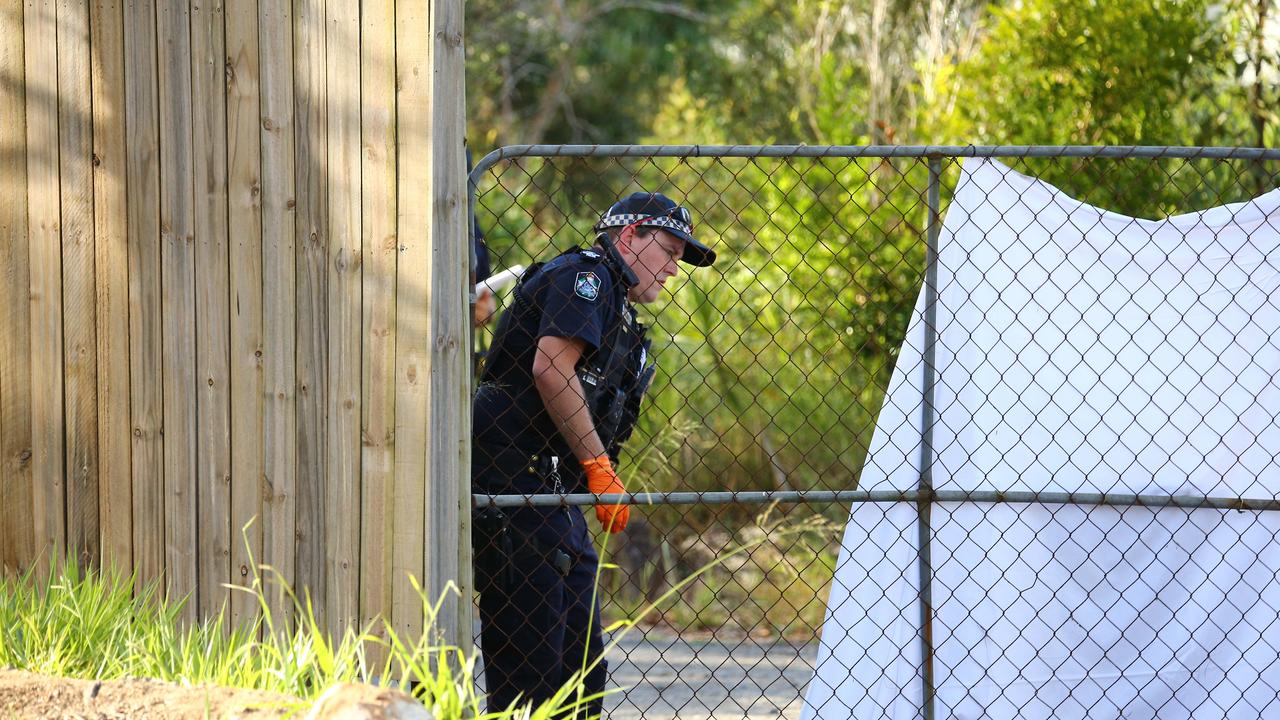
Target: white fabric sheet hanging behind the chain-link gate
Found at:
1087, 352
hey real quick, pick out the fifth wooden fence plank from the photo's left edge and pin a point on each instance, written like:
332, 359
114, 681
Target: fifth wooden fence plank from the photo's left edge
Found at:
147, 371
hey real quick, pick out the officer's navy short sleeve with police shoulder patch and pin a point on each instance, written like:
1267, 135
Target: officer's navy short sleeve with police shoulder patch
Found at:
568, 309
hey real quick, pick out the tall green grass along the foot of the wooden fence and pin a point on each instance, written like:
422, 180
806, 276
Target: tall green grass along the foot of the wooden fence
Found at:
93, 625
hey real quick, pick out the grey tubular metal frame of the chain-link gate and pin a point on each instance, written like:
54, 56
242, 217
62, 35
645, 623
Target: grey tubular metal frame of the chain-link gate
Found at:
925, 496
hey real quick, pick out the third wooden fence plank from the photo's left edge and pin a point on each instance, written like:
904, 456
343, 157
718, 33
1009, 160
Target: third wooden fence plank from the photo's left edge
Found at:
80, 307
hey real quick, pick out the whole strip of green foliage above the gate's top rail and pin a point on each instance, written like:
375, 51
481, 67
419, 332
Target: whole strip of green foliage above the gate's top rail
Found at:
874, 71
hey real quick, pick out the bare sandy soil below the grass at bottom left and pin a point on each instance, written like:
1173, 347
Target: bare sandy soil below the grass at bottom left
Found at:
28, 695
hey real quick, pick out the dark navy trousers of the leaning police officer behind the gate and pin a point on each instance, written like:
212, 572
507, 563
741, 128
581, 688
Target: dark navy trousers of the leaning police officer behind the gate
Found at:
540, 623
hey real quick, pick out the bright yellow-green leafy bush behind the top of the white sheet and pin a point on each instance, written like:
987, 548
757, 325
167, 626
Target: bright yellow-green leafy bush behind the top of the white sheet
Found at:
1085, 72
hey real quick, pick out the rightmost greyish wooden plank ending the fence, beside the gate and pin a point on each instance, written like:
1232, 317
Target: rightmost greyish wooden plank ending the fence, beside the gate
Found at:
449, 509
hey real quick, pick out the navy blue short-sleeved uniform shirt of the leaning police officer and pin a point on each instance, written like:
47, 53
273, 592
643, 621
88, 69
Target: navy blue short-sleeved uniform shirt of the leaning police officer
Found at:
574, 295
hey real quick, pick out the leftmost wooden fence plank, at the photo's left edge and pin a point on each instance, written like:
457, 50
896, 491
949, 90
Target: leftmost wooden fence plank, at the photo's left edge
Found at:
17, 531
